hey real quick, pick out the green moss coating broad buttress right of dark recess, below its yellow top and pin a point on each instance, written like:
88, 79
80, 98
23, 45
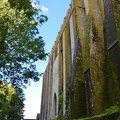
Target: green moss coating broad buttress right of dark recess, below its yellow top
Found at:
97, 67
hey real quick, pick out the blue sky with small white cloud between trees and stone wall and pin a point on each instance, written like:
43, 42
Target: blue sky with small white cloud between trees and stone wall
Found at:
55, 10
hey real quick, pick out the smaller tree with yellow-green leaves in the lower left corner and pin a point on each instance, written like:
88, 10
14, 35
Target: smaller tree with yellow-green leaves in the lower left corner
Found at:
11, 102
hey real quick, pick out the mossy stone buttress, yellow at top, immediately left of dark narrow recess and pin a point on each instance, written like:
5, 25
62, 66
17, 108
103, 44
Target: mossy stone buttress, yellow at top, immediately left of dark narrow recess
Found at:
78, 101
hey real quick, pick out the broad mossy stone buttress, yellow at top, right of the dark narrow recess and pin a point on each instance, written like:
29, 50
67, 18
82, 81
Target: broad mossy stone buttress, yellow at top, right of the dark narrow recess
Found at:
97, 56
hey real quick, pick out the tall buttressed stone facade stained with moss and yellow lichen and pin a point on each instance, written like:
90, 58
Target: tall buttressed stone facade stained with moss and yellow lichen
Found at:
82, 77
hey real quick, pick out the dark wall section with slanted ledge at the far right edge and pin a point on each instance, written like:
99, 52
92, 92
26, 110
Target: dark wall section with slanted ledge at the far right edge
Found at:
112, 20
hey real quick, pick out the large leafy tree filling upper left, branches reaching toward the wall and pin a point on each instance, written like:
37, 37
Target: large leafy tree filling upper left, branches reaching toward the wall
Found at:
20, 41
